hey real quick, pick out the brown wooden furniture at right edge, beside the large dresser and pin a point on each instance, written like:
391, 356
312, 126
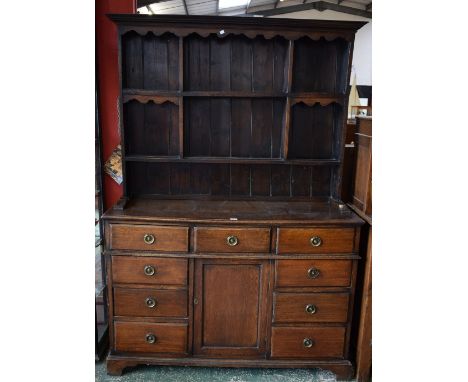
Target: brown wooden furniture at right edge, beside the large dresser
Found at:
362, 205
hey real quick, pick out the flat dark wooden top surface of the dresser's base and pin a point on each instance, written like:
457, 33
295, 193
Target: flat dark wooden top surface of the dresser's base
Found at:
235, 212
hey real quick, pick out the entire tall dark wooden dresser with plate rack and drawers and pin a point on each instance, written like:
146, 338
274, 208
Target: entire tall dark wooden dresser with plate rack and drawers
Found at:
231, 246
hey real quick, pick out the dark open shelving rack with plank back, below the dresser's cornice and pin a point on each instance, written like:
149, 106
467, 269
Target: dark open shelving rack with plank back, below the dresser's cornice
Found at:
216, 117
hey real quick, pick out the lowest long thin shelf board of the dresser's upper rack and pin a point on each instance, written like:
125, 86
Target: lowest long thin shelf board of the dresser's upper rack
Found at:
175, 159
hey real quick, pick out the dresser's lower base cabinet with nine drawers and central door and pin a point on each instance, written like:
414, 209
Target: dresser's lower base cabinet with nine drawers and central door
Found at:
218, 304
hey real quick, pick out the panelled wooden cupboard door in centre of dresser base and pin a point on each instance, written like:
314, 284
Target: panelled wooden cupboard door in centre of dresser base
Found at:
231, 304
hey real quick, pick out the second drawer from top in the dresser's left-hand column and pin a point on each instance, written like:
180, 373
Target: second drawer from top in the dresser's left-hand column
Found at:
149, 270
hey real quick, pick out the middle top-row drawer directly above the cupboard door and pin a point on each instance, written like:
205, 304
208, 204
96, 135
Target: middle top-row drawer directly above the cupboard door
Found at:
253, 240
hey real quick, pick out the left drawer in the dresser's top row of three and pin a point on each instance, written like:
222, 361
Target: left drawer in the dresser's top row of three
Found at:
149, 238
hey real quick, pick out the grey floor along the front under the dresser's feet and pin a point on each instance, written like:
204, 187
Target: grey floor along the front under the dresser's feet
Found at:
205, 374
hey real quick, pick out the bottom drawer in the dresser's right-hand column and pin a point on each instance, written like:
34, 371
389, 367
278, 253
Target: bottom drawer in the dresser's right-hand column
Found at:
307, 342
